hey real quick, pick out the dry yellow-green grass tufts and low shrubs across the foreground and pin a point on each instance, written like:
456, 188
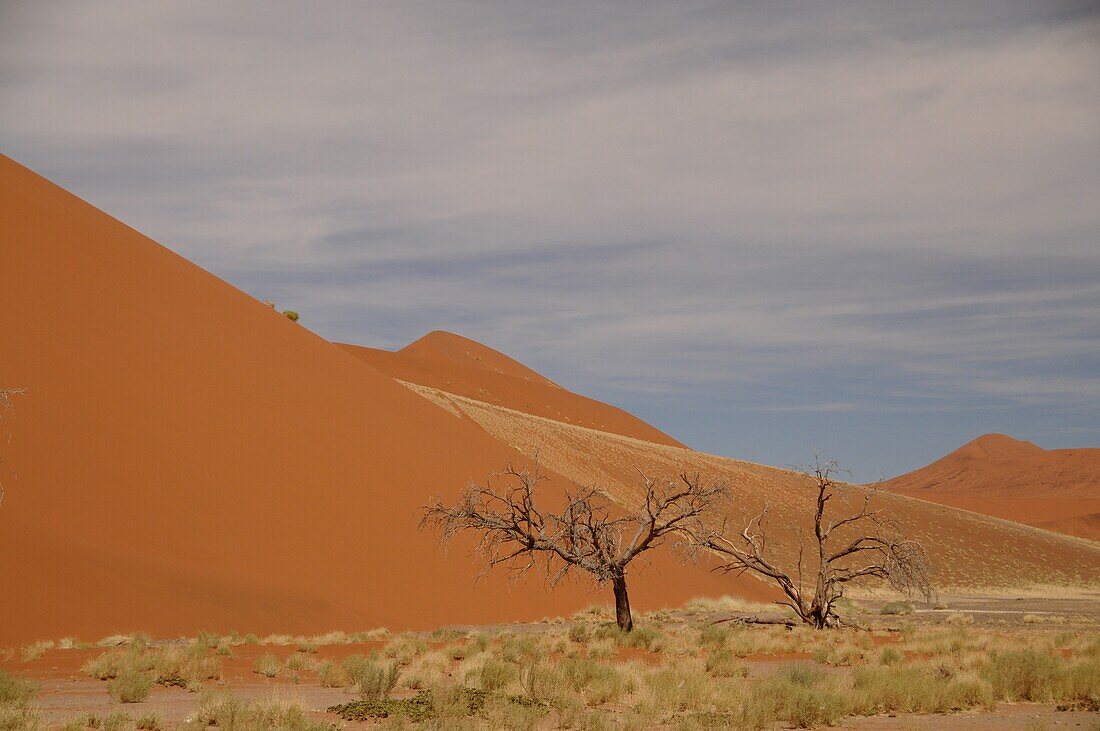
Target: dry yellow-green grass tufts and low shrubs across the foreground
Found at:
678, 669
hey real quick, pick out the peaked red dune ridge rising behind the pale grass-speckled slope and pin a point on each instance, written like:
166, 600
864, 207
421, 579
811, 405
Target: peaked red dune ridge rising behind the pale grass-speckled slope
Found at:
459, 365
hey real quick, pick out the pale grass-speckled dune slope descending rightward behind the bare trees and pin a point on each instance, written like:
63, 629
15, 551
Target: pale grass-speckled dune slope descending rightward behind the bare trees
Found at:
969, 551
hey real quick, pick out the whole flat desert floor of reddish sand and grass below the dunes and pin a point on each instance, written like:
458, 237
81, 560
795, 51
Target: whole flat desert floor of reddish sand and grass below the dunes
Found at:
980, 662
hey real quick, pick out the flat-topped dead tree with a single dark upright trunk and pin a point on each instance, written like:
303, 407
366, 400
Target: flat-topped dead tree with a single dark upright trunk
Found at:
588, 535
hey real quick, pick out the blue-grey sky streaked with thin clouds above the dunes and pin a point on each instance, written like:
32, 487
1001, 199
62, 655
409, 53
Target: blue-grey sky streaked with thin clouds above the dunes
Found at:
865, 228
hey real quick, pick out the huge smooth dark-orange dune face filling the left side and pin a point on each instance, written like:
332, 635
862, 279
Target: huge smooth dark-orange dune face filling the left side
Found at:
185, 458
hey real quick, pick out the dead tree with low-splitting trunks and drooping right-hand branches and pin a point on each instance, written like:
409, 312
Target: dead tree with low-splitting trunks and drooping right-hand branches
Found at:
863, 546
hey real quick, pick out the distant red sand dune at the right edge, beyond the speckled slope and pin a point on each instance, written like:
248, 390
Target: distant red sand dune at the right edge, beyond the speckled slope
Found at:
1002, 477
